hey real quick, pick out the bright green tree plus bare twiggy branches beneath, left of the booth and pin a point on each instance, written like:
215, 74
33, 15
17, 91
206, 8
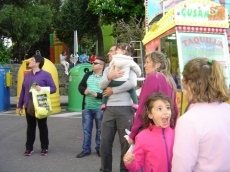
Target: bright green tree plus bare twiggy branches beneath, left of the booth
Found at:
126, 17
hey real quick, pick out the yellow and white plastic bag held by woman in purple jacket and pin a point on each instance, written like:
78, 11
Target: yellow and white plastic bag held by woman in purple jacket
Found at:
42, 103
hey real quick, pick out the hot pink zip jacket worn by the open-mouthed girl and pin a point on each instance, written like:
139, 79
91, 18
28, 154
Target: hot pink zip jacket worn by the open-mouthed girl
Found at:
153, 150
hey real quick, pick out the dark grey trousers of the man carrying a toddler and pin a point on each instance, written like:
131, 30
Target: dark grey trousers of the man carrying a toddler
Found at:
115, 119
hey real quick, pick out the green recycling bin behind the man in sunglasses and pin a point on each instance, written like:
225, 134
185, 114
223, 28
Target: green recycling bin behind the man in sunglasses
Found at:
74, 96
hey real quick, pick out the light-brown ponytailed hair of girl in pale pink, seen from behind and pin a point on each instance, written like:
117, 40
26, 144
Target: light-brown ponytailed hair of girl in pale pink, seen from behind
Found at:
205, 81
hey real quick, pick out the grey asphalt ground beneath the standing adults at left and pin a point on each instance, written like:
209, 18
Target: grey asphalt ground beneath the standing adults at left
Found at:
65, 134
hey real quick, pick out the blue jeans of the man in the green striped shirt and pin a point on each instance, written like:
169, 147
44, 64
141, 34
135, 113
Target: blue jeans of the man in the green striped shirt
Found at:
88, 115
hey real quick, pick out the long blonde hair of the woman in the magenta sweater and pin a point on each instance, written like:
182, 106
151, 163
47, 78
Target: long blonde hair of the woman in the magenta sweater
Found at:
158, 57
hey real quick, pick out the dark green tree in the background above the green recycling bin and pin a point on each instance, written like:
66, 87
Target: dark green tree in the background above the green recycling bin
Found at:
74, 16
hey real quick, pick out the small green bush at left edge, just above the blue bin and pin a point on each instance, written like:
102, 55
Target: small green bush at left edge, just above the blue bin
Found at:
5, 53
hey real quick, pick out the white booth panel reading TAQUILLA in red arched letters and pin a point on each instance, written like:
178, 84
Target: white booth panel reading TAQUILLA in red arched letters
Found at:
212, 46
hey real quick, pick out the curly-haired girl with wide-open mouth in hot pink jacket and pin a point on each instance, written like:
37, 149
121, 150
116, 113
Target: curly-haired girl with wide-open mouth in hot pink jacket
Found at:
153, 145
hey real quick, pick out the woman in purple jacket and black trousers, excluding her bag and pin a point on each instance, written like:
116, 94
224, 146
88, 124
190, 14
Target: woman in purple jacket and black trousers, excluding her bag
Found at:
42, 79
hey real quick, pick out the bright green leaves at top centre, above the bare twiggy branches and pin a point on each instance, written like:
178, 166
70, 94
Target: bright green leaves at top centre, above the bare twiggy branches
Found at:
111, 11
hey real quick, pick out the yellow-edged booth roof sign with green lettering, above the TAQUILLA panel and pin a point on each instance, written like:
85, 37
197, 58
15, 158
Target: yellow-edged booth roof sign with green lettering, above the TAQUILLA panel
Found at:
202, 13
